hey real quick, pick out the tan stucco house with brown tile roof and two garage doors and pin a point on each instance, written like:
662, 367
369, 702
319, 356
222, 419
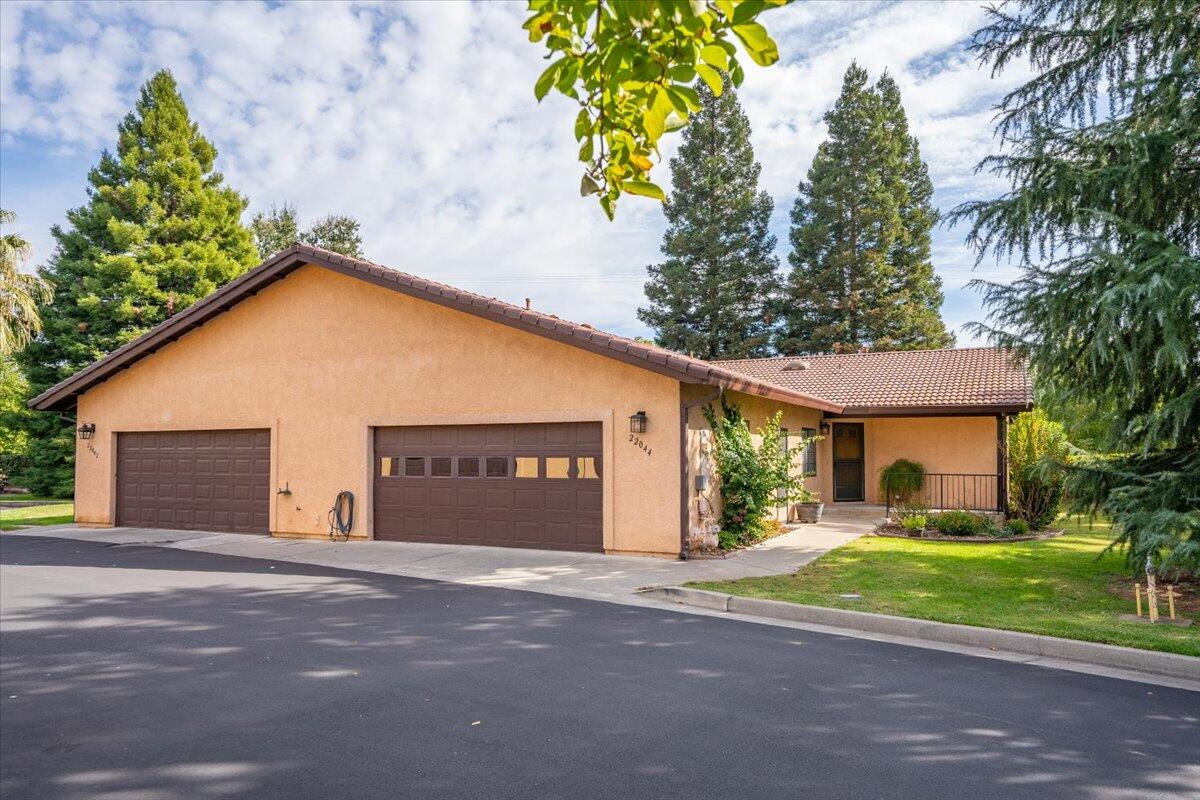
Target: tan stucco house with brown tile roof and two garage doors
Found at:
457, 418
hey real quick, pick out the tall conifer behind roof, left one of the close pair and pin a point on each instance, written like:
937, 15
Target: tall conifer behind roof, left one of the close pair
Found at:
713, 293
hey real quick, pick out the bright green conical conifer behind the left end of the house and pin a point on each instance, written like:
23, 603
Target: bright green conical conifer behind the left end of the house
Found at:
160, 231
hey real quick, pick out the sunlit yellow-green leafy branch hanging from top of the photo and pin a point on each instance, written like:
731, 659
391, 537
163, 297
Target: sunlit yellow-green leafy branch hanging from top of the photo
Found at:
631, 67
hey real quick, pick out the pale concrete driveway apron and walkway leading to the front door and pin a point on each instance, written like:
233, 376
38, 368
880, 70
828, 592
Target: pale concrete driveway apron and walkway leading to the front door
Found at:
593, 576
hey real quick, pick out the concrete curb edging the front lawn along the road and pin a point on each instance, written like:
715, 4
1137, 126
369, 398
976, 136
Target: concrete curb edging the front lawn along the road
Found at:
1048, 647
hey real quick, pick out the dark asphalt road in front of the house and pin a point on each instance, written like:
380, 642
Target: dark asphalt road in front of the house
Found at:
141, 672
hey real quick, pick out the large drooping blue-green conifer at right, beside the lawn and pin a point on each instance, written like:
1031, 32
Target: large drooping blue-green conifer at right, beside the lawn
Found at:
1102, 151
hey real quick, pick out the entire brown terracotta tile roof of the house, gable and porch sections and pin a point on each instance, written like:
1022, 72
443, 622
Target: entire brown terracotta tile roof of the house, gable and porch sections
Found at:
969, 380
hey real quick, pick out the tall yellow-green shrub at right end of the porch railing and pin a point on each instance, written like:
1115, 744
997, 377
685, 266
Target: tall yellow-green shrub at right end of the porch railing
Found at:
1036, 447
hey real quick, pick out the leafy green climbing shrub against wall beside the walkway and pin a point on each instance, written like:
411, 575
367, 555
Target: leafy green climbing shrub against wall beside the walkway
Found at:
752, 477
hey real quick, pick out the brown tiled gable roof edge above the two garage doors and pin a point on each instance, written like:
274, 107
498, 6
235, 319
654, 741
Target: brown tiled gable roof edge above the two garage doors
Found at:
283, 264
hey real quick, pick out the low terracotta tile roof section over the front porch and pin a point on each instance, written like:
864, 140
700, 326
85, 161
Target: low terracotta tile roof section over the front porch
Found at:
968, 378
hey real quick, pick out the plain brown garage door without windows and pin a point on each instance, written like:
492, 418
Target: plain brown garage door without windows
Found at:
197, 480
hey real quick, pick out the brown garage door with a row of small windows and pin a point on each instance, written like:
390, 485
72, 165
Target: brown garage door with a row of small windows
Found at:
506, 485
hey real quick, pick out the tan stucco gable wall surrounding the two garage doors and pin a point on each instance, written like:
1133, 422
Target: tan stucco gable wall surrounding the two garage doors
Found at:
320, 358
